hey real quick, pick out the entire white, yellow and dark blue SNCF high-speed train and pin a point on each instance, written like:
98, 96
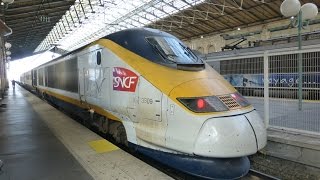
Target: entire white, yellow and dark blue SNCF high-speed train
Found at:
152, 93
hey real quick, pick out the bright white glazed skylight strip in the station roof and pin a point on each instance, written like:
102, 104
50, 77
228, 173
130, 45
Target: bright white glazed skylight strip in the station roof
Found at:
89, 20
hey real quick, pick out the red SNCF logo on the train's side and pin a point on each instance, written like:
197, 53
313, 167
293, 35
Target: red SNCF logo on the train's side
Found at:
124, 79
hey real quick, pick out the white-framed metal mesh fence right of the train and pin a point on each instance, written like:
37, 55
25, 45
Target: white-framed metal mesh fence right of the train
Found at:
276, 97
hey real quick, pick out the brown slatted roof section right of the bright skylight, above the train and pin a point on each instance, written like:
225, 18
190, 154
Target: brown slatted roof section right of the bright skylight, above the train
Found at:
218, 16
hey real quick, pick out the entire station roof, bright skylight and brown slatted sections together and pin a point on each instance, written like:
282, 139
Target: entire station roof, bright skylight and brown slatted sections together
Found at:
37, 24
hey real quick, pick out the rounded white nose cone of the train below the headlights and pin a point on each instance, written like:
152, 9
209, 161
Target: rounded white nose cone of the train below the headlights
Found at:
233, 136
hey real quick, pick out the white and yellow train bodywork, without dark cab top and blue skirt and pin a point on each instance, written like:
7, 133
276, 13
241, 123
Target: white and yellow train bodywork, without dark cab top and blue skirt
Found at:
145, 97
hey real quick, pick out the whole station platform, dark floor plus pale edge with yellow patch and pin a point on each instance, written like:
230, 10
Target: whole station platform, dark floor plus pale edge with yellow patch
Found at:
39, 142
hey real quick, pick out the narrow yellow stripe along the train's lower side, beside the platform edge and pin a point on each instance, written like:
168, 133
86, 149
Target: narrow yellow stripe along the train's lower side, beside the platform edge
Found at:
83, 105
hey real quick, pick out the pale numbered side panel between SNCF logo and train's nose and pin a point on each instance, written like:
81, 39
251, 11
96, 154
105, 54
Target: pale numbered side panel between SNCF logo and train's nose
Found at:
151, 125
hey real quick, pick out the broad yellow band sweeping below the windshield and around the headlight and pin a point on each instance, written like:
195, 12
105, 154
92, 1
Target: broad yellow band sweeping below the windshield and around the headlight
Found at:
186, 83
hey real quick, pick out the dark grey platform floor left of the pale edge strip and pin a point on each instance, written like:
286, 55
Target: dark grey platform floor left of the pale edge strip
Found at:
29, 150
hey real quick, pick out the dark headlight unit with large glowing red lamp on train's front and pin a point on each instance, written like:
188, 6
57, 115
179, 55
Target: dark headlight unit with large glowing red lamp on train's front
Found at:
204, 104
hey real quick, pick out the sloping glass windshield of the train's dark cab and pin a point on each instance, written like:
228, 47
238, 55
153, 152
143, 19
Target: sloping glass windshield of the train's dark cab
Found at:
173, 51
